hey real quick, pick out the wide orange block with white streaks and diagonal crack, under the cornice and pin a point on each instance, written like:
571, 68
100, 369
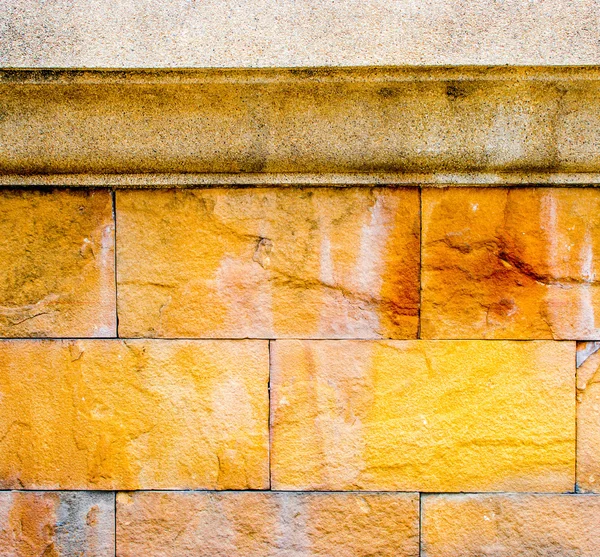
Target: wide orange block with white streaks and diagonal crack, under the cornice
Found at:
269, 263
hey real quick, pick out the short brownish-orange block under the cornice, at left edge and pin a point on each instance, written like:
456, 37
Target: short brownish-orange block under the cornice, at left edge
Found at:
57, 273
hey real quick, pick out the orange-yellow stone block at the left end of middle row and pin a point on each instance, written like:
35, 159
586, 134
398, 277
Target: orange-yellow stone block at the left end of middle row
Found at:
134, 414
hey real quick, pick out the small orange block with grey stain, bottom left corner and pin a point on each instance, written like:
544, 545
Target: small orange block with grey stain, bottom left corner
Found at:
57, 524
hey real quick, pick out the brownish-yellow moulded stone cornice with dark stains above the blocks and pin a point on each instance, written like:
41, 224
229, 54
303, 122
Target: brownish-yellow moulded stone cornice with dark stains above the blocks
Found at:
315, 126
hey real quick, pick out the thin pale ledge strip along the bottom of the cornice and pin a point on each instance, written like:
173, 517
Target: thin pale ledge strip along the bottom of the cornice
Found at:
332, 179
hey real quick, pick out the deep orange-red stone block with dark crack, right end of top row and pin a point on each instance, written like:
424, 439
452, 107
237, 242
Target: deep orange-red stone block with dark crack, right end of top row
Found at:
511, 263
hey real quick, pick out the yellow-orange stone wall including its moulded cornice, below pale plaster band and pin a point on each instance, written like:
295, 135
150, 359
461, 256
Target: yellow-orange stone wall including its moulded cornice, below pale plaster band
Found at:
242, 318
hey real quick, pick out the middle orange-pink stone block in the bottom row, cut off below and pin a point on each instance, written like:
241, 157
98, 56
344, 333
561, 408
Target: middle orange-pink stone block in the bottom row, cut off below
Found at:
267, 525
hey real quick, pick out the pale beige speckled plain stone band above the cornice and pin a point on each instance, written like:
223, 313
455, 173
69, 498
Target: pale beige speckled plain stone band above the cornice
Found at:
184, 33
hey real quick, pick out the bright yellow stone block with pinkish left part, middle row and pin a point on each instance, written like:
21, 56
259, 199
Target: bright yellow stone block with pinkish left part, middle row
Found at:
423, 416
